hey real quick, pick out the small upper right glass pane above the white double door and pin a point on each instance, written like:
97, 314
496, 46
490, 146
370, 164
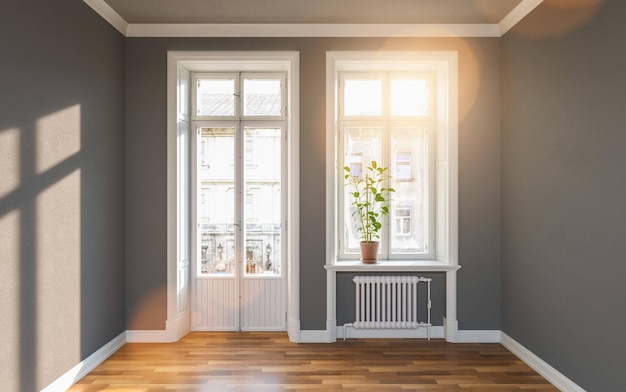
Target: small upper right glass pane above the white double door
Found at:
261, 97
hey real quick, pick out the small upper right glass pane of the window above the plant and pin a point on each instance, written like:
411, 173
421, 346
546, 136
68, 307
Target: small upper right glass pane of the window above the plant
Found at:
409, 97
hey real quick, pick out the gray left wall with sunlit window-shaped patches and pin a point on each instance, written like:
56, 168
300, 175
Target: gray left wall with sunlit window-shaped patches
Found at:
61, 189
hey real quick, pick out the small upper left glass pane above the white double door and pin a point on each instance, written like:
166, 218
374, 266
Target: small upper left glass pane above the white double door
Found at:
216, 97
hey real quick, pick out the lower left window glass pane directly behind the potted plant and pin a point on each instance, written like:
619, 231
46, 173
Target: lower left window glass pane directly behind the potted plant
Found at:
362, 146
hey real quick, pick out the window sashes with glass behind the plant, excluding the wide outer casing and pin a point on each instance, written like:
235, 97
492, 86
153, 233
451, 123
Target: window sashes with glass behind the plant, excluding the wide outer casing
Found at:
383, 115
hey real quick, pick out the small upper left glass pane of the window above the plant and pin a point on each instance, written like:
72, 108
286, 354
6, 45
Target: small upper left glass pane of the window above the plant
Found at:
363, 97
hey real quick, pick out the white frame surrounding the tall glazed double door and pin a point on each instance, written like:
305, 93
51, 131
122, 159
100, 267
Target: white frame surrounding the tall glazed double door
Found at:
178, 321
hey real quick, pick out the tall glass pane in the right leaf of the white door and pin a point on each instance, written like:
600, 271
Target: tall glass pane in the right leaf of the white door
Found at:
262, 201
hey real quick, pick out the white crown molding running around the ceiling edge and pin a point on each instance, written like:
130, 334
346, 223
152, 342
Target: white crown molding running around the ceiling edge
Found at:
312, 30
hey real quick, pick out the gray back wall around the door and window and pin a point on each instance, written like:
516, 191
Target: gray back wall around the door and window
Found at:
479, 188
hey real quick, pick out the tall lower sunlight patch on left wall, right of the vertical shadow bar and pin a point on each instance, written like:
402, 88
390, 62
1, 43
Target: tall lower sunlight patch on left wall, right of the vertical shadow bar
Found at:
58, 270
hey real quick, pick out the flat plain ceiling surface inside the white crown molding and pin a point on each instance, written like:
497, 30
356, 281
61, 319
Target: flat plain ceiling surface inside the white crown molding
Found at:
313, 11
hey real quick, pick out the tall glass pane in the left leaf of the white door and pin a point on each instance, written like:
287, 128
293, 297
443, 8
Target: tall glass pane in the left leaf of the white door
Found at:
216, 201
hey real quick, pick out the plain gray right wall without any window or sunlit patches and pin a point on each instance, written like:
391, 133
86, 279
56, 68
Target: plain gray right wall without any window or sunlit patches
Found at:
564, 165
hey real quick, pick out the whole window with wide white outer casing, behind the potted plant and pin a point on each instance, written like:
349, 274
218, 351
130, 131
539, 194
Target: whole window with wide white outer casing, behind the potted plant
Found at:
398, 109
